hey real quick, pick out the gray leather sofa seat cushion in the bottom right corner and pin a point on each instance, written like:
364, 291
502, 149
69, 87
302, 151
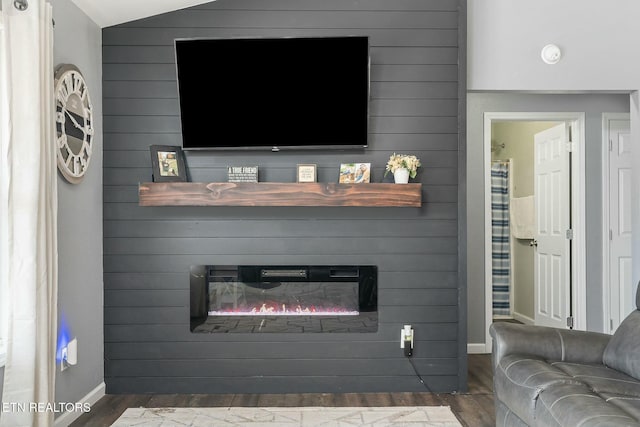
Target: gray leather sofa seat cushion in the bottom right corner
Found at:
576, 405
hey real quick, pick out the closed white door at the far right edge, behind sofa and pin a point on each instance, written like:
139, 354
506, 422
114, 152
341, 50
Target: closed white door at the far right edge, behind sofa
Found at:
621, 290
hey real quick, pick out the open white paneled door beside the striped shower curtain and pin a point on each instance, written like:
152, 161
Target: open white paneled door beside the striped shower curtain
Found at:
552, 205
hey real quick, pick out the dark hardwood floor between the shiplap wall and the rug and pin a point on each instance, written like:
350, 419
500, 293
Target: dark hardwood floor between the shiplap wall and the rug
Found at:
473, 408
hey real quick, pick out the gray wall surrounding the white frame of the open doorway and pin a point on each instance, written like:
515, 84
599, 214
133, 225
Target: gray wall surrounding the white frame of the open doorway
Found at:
593, 106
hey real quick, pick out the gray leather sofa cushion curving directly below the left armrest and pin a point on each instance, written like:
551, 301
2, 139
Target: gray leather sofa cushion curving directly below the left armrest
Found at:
519, 380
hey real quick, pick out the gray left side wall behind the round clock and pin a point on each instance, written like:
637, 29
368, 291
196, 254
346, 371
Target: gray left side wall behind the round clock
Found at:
77, 40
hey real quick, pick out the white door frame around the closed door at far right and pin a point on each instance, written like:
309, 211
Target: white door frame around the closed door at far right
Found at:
606, 246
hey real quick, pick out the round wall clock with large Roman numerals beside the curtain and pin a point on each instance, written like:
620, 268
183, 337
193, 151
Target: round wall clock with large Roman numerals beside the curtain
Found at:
74, 123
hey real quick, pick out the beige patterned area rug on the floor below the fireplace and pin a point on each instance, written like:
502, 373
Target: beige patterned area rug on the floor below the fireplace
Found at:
410, 416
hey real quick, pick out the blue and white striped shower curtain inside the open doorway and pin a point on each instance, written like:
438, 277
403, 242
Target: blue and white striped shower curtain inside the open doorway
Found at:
500, 251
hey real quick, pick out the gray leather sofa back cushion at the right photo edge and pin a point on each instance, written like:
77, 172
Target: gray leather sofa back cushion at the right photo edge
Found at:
623, 351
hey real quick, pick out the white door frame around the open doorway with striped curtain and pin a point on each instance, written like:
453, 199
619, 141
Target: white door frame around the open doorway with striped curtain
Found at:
578, 209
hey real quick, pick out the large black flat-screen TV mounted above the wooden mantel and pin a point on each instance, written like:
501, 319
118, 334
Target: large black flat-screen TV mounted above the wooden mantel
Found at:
273, 92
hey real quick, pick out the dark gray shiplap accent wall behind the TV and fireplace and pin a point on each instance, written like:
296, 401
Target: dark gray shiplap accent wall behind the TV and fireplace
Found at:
415, 103
